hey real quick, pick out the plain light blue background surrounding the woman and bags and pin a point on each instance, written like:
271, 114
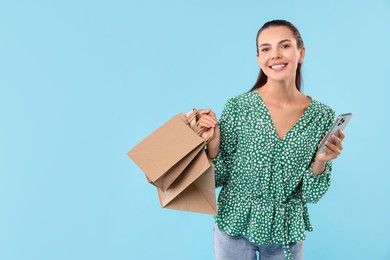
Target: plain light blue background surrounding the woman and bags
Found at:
82, 82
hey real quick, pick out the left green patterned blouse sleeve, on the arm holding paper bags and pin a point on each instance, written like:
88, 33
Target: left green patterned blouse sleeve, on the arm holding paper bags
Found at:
223, 161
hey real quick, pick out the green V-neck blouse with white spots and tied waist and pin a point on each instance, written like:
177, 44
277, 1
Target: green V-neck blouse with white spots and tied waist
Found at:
267, 181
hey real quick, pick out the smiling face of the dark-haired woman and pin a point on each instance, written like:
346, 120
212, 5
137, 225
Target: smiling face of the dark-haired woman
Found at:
278, 53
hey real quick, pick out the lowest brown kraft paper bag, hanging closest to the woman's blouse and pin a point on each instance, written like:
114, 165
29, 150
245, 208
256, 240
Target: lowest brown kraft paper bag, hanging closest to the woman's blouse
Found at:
194, 189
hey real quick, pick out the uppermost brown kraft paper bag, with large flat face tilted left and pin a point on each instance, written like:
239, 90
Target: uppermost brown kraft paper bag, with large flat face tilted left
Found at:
165, 153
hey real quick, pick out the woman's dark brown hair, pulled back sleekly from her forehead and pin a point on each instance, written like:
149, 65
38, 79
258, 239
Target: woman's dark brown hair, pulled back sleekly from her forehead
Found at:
262, 78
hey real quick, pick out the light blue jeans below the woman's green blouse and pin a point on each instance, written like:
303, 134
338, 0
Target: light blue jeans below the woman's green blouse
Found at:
227, 247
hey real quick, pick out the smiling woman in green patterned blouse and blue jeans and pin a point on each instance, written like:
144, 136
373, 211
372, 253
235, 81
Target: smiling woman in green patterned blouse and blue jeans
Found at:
264, 152
